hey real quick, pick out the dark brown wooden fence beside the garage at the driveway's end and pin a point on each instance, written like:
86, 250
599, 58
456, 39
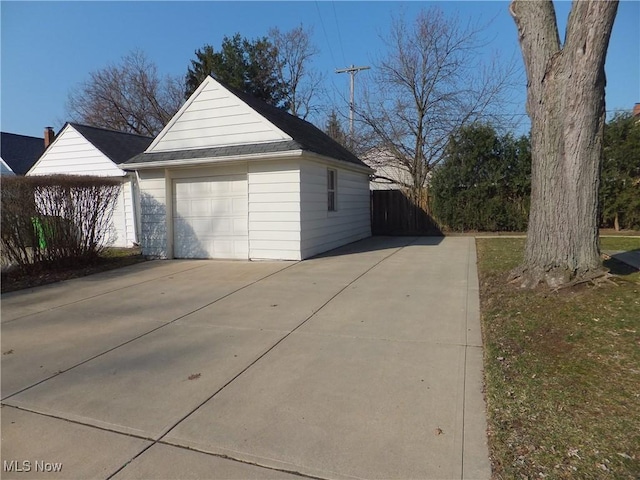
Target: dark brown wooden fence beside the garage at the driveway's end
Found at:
393, 213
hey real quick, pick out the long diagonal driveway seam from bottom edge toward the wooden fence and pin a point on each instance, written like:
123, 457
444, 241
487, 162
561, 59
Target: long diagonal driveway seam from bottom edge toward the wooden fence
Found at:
195, 409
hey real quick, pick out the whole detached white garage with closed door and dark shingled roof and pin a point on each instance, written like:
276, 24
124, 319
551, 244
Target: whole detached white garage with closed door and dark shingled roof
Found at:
233, 177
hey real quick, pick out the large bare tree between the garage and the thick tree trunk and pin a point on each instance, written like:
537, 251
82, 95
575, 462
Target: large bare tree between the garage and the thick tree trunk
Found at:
428, 85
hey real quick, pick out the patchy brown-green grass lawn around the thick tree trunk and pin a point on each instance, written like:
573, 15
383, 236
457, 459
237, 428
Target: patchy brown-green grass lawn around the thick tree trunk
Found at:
562, 371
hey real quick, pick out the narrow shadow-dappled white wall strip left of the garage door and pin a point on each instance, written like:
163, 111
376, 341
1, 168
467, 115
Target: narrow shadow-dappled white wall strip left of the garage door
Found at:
153, 223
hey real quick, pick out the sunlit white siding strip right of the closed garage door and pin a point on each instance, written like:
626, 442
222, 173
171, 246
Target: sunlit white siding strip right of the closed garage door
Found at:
274, 210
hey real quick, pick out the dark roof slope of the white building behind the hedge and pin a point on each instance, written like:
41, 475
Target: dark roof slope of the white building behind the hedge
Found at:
118, 146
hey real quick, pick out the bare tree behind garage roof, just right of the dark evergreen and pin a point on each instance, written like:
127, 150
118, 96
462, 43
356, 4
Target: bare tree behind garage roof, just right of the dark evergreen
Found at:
295, 51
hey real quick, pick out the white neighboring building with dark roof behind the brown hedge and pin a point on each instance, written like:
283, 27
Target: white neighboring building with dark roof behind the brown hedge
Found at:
83, 150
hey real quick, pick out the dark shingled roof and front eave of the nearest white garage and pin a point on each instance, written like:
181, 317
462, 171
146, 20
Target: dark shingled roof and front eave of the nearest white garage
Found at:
304, 136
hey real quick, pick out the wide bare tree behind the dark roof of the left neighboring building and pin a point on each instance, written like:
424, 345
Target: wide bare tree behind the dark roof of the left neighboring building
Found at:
129, 97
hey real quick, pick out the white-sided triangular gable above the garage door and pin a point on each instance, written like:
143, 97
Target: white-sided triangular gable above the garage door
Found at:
214, 117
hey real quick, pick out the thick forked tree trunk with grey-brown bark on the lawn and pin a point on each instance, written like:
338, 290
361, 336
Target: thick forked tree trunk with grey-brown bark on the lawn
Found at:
565, 101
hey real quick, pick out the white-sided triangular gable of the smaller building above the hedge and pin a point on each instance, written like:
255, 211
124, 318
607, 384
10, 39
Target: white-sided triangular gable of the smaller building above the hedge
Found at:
72, 154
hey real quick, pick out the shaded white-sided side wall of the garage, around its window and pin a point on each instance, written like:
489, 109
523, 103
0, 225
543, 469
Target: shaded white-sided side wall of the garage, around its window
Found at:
323, 230
